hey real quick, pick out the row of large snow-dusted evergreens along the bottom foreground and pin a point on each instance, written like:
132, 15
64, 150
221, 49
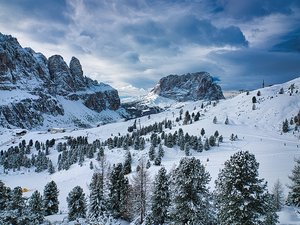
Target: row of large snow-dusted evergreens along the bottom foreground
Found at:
179, 197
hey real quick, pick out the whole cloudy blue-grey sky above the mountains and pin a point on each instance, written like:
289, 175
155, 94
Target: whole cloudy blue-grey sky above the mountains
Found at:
132, 44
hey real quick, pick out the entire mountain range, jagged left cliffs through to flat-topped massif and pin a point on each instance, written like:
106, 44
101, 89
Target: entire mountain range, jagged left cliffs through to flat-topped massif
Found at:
37, 92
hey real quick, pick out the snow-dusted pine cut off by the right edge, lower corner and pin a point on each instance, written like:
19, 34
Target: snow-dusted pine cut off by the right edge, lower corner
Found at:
294, 194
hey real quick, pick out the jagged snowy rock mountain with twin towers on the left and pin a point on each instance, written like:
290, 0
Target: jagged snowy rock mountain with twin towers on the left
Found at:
40, 92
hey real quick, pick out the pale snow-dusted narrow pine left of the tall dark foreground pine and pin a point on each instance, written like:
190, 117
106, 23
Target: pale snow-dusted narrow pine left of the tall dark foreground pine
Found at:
97, 201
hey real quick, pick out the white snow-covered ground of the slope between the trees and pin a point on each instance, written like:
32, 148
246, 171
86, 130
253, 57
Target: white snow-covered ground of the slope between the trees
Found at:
259, 131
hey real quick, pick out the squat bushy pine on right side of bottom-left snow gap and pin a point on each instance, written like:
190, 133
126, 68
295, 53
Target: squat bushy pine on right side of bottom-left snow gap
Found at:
76, 204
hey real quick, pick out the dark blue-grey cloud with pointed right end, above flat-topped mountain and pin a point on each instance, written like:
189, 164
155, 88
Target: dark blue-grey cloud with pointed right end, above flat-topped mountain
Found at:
181, 30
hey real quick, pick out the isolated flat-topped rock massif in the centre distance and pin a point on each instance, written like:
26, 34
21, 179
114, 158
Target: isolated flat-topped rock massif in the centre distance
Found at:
188, 87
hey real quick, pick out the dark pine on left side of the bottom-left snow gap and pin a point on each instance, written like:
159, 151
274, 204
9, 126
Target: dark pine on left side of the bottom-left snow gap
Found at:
50, 199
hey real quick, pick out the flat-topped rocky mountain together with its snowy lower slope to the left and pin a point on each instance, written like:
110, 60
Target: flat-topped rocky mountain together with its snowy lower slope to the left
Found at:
172, 91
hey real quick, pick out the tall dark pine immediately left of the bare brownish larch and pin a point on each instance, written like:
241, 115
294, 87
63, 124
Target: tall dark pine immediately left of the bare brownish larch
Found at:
118, 192
